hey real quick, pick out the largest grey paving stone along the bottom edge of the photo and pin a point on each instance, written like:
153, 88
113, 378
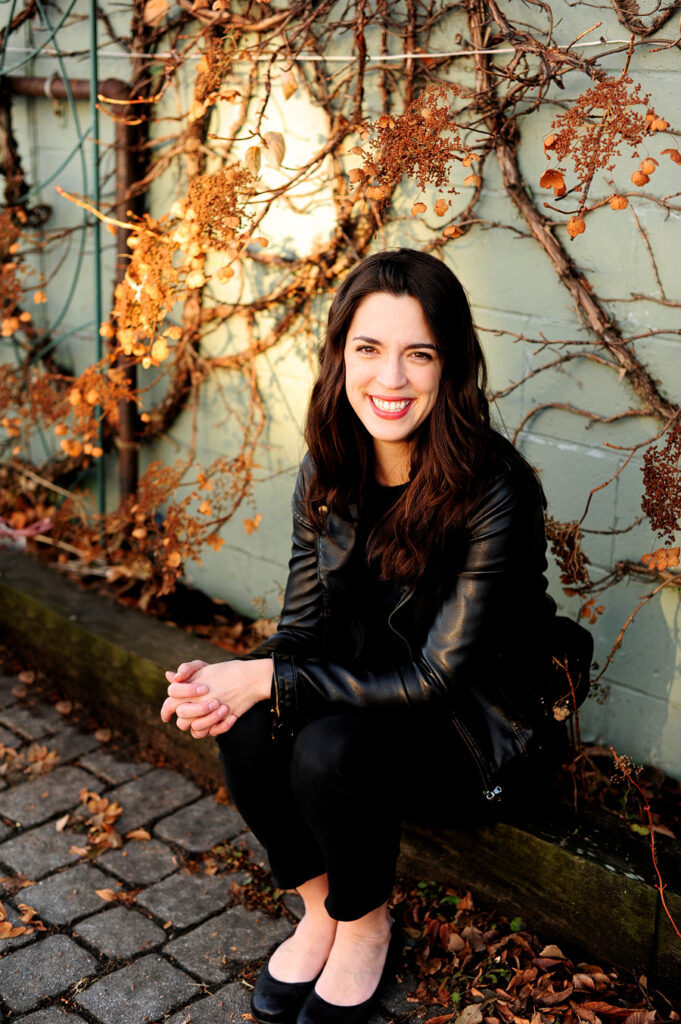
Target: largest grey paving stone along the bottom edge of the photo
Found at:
146, 991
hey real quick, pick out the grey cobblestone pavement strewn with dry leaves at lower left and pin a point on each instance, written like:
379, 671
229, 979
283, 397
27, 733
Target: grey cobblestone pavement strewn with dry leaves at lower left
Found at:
172, 936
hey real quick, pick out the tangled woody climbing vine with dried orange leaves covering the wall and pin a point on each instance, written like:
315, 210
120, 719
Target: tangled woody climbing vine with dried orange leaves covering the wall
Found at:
429, 108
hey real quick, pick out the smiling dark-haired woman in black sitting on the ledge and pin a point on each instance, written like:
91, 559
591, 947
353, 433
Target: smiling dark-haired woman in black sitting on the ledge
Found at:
411, 665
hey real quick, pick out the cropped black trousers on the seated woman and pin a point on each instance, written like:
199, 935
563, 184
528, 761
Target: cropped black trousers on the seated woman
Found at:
332, 800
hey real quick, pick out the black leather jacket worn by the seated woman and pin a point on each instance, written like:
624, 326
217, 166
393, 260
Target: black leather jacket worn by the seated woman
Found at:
474, 636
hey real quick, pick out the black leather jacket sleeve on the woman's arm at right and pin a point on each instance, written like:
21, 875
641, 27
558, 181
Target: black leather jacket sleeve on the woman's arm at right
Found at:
505, 536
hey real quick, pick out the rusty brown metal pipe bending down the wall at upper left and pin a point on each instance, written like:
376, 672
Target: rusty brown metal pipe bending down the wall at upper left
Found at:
112, 89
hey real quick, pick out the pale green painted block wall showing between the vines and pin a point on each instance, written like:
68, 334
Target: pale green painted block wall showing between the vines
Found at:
513, 288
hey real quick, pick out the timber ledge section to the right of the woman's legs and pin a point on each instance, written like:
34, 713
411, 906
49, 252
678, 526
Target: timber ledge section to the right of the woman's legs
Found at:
583, 880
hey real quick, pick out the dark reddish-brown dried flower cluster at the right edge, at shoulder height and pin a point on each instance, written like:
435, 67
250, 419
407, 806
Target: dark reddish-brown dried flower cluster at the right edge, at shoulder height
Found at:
662, 484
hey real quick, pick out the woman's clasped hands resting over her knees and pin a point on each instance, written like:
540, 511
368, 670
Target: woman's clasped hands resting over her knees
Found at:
209, 699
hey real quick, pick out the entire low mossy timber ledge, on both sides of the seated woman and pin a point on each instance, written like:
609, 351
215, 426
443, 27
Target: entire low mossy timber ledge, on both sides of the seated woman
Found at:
586, 881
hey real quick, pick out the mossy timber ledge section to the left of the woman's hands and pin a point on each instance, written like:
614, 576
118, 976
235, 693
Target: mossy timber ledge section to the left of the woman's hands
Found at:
110, 657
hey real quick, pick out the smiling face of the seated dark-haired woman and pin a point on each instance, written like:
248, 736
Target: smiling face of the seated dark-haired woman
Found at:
393, 370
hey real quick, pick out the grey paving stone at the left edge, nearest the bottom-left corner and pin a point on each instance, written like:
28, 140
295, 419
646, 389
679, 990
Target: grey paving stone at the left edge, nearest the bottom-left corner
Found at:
45, 969
